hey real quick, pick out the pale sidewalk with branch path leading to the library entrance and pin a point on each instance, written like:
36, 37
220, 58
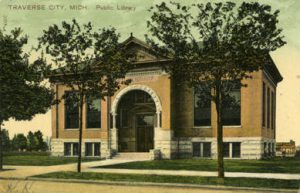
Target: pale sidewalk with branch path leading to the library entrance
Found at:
22, 172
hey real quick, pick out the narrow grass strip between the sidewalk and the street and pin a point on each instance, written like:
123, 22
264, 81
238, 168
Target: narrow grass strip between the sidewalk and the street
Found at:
238, 182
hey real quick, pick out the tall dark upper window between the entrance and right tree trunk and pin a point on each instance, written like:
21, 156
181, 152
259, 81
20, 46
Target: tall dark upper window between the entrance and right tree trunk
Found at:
202, 106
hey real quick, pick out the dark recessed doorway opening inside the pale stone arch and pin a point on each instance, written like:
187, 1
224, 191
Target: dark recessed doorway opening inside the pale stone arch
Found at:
136, 118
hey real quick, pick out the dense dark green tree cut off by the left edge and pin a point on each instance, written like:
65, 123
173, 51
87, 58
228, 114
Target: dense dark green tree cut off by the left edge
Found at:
22, 92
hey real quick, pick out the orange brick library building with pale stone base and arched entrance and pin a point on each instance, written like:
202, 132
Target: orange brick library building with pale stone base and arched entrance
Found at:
155, 114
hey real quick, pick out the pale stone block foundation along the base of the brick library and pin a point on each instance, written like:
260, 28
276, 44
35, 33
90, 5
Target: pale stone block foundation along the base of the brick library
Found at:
251, 148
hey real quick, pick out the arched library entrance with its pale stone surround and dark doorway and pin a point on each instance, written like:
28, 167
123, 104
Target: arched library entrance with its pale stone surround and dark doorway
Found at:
136, 113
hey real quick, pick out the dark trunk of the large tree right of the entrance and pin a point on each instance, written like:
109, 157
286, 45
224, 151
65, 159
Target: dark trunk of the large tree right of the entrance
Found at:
218, 102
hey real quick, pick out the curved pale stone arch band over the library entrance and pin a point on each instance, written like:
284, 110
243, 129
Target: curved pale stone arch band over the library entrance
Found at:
147, 89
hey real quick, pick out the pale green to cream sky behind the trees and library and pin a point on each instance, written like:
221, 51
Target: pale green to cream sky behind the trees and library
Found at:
105, 13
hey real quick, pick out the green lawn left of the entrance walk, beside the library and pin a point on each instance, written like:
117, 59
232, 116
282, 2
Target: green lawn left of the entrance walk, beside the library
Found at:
38, 159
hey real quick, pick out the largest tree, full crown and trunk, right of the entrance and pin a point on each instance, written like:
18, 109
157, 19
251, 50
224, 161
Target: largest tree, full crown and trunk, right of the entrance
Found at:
215, 44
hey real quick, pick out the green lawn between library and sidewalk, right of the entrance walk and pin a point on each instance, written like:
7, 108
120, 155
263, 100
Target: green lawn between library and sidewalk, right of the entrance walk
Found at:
277, 165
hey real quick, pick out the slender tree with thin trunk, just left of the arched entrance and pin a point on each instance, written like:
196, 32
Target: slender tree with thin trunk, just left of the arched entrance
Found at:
92, 63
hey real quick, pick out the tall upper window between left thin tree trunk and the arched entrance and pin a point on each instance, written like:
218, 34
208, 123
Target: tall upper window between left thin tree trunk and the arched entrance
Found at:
93, 112
